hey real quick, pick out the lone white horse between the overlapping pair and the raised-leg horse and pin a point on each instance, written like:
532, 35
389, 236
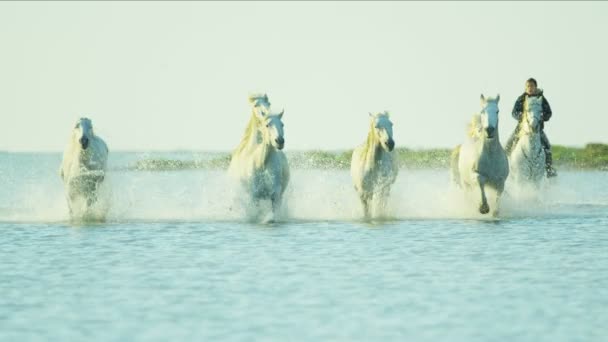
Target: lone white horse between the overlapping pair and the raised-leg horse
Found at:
373, 166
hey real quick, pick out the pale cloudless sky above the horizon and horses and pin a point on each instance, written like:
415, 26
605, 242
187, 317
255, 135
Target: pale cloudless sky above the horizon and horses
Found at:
175, 76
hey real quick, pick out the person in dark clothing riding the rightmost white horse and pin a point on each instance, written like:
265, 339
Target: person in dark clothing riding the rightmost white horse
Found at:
518, 109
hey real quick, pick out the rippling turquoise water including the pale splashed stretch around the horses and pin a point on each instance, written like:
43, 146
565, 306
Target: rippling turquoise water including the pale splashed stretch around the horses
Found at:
177, 261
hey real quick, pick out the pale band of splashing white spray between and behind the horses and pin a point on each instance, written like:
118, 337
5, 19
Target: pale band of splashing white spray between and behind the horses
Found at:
203, 195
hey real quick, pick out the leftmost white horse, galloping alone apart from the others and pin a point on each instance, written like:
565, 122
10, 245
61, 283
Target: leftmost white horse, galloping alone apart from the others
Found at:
83, 170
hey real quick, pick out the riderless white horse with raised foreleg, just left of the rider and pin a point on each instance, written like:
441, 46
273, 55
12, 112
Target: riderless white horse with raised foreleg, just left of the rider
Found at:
481, 161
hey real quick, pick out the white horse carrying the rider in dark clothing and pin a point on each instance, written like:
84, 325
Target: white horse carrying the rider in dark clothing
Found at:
527, 159
